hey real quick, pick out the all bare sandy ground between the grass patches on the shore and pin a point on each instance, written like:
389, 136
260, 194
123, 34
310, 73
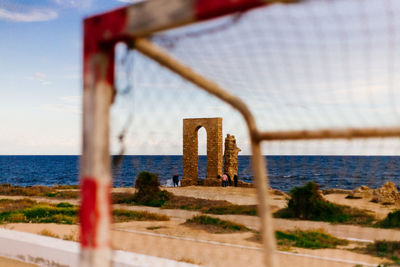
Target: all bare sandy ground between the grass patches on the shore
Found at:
176, 241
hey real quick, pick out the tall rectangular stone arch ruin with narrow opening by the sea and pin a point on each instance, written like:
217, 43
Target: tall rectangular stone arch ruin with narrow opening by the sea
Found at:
213, 127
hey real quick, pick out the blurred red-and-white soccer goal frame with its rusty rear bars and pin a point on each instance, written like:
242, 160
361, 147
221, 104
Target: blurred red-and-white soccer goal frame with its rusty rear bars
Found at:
132, 24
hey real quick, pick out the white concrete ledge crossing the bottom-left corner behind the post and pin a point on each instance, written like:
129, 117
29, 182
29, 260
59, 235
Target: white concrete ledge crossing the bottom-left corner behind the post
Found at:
48, 251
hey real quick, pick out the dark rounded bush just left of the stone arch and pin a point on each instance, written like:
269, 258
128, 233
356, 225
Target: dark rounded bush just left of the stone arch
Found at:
148, 191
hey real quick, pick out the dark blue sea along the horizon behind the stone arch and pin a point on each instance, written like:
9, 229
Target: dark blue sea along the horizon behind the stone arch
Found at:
284, 172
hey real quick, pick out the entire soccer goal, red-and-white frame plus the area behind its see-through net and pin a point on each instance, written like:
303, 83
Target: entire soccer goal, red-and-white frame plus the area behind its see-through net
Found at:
307, 88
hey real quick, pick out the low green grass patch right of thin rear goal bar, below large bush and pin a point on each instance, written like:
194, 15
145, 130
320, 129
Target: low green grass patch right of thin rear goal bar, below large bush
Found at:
308, 239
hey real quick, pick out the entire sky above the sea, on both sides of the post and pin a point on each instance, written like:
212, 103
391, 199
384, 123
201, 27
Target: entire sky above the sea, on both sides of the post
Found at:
321, 64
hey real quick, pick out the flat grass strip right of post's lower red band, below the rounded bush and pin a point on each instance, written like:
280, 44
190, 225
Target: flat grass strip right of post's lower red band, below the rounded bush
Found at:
121, 215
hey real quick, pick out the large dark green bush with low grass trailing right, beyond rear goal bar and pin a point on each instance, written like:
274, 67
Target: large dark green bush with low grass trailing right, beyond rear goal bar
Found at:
307, 203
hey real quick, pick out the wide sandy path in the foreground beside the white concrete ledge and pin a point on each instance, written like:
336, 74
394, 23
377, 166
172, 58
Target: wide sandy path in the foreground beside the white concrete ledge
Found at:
181, 243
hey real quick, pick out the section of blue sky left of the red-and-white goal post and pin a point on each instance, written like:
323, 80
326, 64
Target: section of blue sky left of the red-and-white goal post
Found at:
40, 74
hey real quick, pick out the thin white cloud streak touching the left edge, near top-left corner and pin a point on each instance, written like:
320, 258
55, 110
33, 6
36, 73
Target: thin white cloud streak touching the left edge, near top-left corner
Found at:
33, 15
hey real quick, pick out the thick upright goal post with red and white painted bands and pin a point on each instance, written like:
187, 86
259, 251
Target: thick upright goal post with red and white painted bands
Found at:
95, 173
